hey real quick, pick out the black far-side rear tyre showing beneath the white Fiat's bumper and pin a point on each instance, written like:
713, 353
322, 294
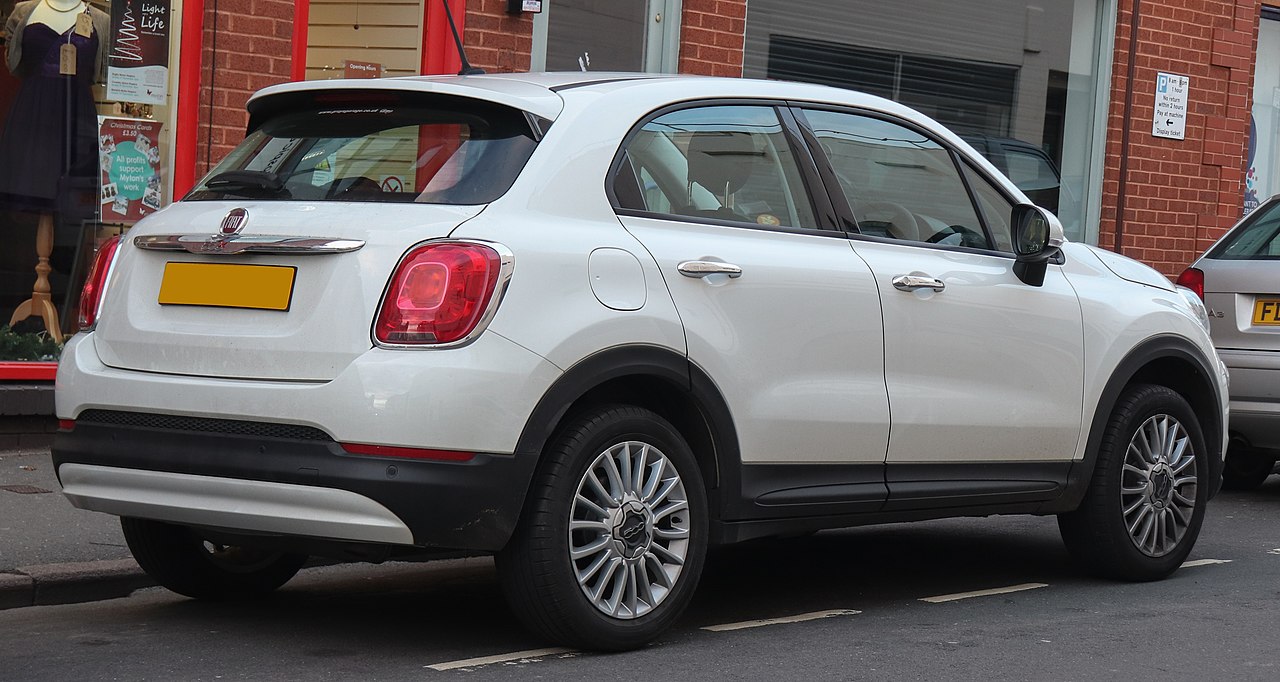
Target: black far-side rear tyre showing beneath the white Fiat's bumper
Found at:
180, 560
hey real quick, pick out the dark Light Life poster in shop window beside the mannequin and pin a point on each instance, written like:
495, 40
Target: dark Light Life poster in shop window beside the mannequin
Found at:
138, 67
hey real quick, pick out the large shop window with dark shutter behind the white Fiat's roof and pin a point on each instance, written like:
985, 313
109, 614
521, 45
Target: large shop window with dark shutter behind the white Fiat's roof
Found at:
1020, 83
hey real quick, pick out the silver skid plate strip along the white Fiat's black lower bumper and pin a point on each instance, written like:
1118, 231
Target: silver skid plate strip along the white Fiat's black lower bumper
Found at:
232, 504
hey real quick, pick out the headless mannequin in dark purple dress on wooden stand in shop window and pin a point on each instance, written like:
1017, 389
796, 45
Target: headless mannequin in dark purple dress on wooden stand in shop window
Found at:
51, 139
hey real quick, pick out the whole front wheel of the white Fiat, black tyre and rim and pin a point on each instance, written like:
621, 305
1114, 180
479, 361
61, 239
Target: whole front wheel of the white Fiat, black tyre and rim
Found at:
1146, 501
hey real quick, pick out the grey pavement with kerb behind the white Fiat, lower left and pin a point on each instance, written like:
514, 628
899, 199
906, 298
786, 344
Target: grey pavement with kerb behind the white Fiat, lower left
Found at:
51, 552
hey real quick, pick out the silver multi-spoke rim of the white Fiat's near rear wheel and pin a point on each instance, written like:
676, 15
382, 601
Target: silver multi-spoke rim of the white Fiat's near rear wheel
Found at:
629, 530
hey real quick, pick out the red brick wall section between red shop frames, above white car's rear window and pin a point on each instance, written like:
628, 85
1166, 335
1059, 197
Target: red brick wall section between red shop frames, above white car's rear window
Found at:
254, 51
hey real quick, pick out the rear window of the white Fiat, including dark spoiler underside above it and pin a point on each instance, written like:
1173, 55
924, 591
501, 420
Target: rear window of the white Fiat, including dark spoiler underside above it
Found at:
376, 147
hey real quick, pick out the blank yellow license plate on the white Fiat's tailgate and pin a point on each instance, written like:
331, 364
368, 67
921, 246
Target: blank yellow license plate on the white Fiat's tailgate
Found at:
225, 286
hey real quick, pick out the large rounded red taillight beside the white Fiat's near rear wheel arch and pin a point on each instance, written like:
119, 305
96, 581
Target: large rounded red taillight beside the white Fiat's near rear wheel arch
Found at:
440, 294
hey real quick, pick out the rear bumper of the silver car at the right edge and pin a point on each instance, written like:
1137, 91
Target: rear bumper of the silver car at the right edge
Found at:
1255, 396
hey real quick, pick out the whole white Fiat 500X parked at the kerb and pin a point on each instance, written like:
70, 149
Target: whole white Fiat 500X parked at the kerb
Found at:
597, 323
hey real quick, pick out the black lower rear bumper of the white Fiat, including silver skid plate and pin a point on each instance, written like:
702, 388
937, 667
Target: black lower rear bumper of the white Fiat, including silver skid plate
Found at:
264, 484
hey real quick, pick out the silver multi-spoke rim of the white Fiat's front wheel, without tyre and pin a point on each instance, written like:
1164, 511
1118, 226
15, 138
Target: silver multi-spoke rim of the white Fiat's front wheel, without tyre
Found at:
1158, 487
